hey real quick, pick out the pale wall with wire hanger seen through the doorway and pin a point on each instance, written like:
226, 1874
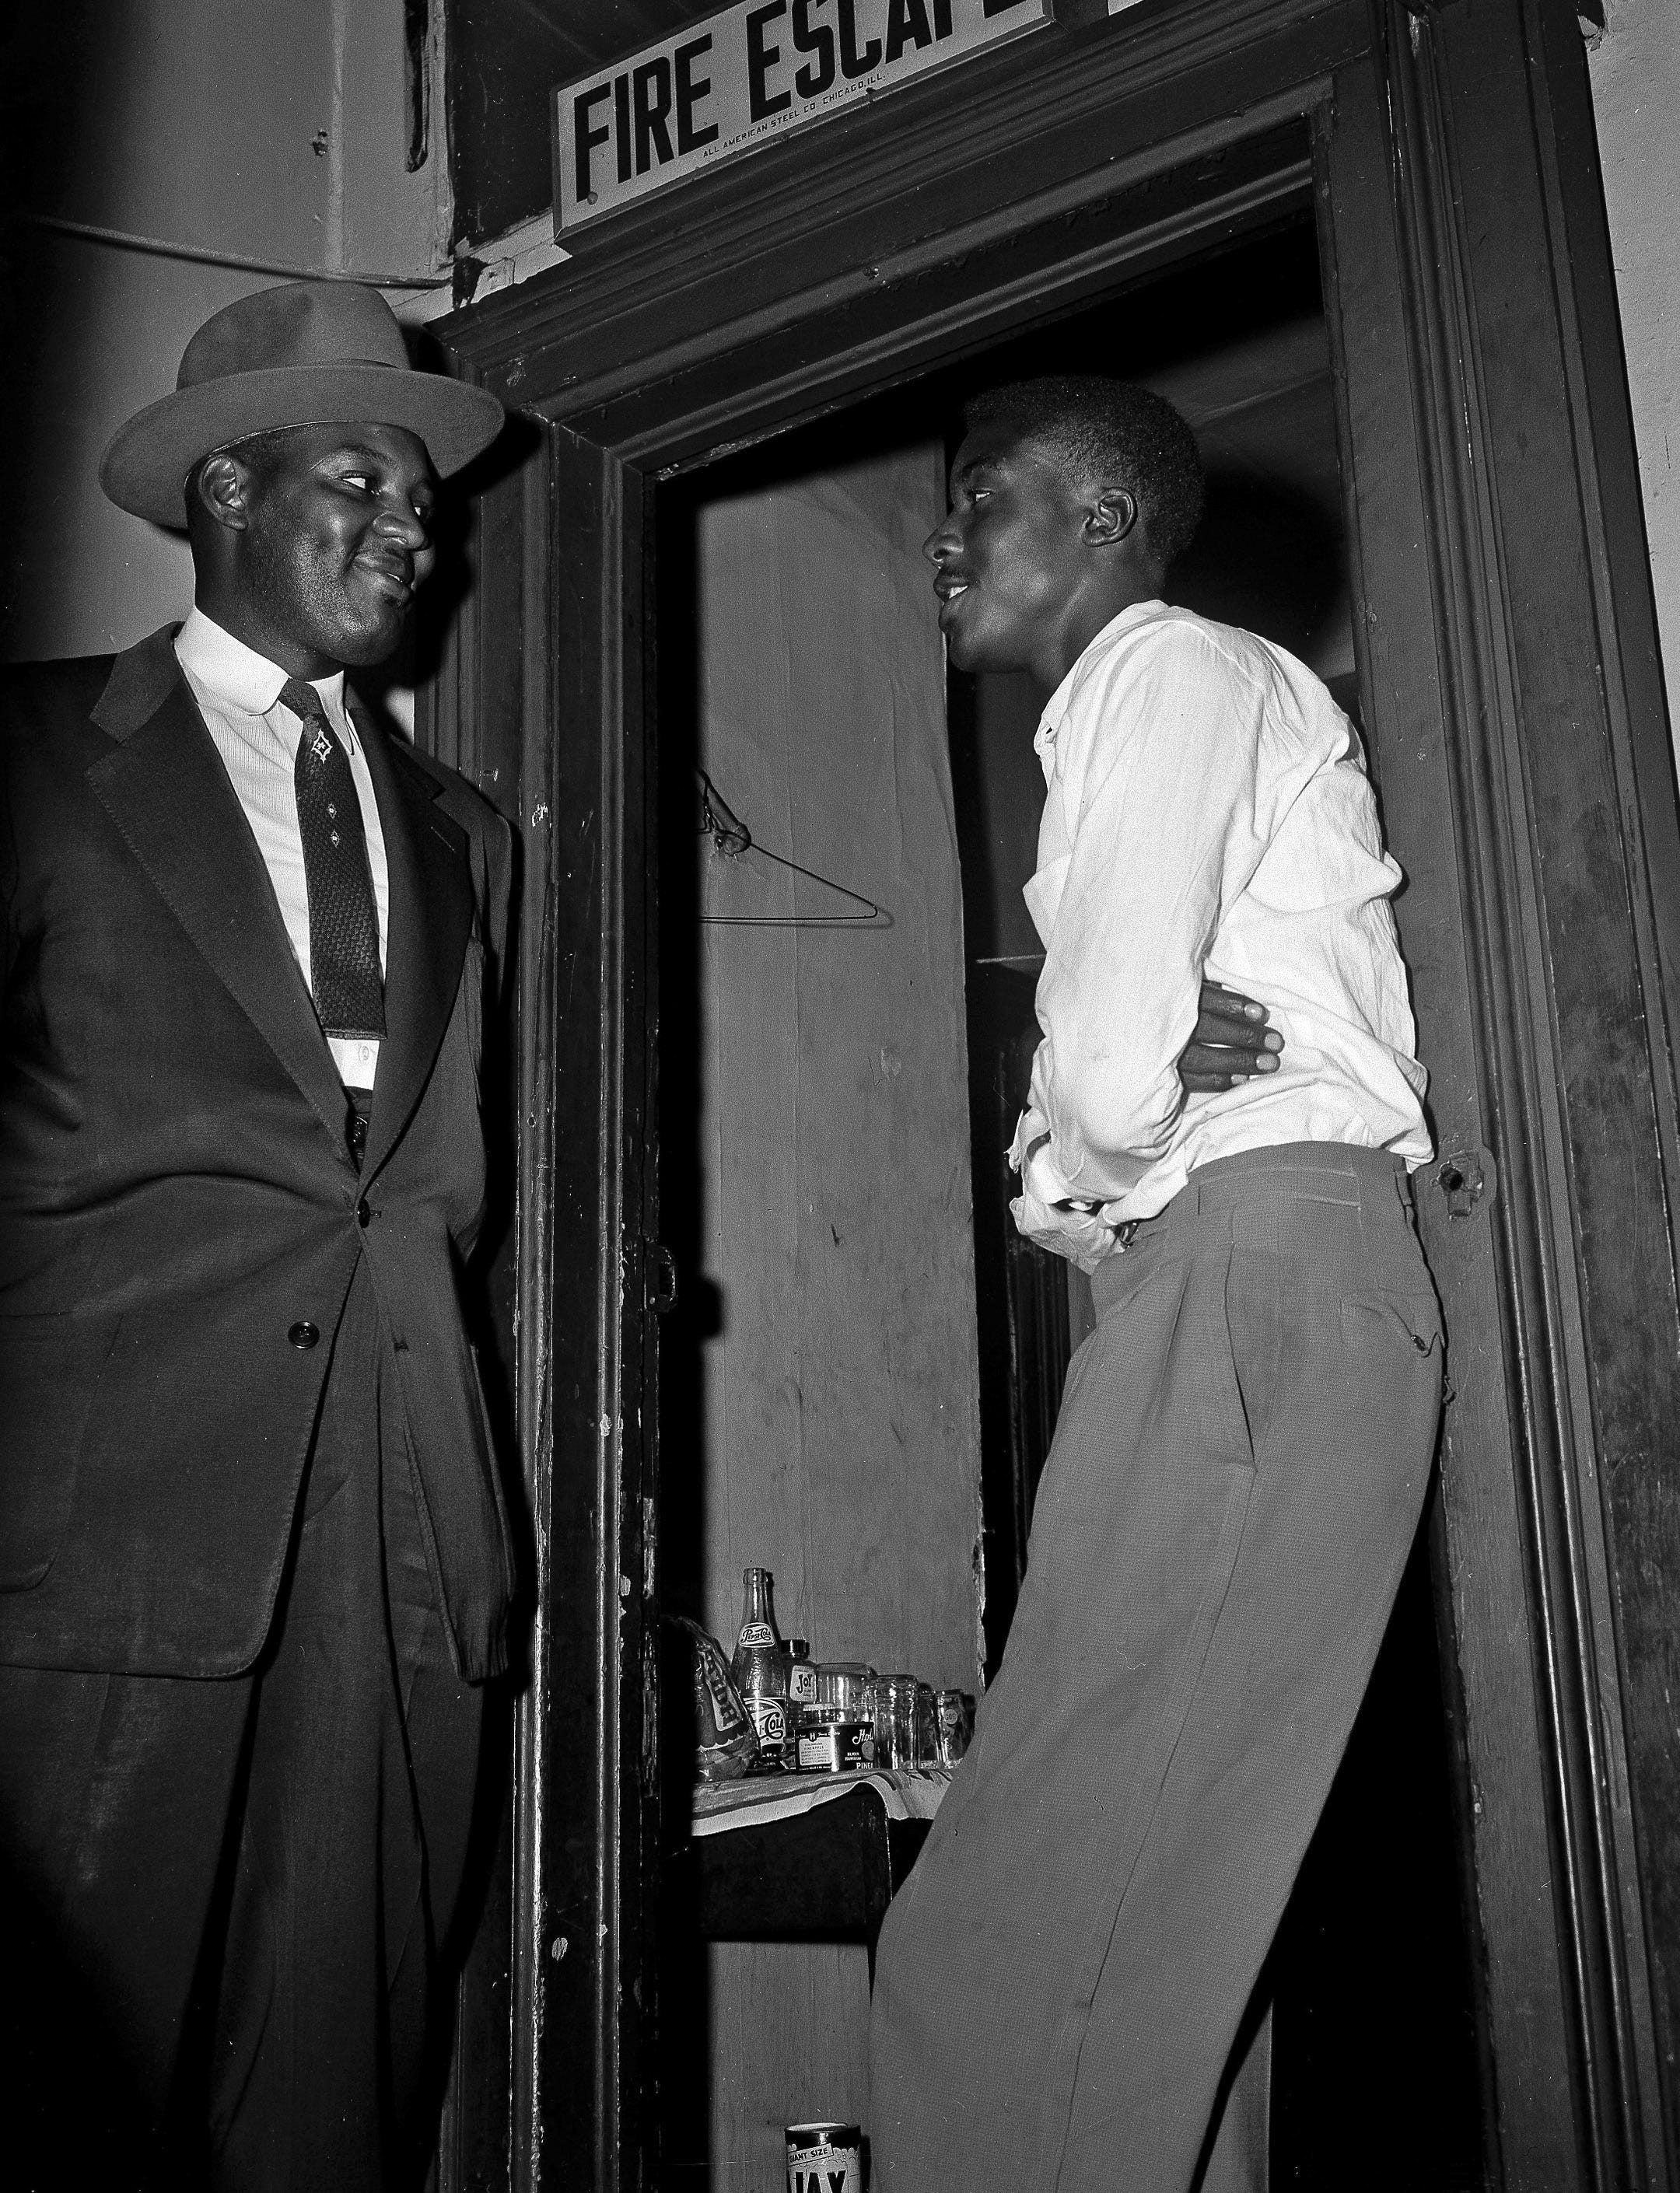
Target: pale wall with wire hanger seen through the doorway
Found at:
819, 1374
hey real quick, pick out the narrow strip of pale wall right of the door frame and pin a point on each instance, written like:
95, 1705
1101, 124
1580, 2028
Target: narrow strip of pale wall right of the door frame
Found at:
1635, 71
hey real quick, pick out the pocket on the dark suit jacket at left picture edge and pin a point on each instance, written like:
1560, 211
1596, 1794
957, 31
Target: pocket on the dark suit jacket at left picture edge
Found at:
49, 1374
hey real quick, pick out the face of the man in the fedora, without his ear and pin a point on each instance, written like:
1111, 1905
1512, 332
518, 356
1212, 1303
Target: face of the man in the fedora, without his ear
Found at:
339, 538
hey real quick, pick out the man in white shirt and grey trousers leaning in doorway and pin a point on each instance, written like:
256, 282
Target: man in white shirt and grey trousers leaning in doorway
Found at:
1067, 1986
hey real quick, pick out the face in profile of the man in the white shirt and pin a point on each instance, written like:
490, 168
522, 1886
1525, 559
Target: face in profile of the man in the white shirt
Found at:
1010, 556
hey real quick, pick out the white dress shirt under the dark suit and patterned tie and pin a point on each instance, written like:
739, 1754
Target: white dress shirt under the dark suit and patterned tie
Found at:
258, 738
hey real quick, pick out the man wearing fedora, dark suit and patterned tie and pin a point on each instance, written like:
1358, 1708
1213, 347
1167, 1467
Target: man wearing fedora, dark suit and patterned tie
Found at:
256, 1563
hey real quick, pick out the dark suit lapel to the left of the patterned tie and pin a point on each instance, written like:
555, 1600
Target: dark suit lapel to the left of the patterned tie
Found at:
170, 797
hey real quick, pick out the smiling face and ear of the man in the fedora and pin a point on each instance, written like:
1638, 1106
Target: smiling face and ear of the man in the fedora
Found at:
323, 536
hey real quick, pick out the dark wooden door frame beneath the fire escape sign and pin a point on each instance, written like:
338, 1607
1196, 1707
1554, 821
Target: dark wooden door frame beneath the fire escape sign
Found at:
1508, 659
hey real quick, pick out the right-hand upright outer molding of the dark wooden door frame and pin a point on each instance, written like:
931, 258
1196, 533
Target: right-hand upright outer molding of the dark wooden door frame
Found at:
1576, 859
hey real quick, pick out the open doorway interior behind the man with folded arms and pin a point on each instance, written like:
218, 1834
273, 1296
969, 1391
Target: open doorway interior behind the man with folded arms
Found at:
845, 968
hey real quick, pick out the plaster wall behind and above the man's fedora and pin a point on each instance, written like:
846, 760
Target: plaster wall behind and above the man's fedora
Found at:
273, 135
